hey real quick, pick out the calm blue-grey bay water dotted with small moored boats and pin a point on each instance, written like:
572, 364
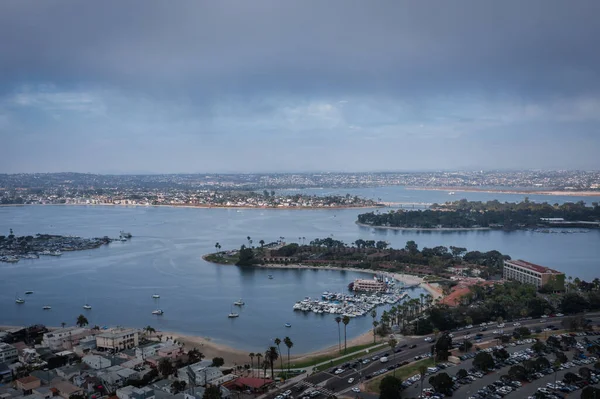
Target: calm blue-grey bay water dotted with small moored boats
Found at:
165, 257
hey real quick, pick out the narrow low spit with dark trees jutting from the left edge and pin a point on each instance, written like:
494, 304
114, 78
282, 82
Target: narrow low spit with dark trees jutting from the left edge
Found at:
14, 248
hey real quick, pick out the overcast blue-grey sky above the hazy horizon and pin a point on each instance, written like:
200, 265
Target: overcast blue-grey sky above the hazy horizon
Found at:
265, 86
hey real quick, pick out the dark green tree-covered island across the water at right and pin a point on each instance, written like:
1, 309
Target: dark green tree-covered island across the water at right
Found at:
465, 214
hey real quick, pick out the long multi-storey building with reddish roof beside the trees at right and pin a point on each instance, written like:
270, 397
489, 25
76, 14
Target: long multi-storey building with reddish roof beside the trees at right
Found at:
529, 273
